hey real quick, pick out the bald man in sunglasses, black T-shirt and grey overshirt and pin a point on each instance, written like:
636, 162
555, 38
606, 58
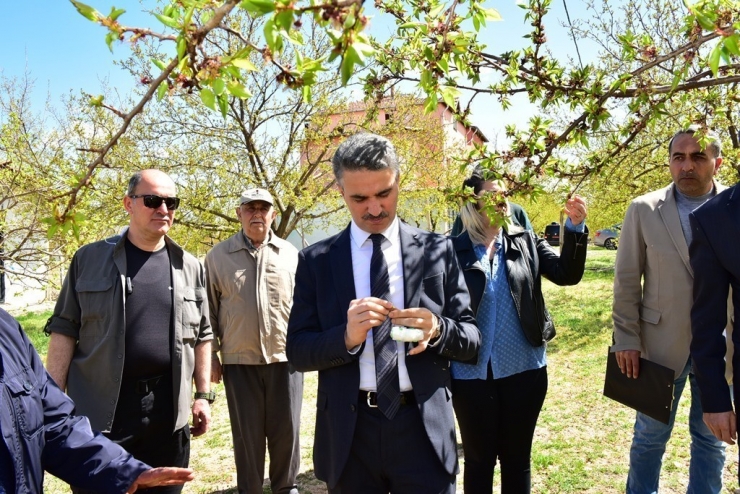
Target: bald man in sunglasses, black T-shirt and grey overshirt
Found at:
130, 332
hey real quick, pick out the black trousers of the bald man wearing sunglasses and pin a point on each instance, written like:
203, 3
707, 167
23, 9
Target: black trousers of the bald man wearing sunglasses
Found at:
143, 426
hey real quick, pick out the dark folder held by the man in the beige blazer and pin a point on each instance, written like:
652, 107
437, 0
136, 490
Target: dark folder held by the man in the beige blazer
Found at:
651, 393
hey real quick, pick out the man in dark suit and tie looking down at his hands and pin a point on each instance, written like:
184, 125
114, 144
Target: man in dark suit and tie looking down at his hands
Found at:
384, 420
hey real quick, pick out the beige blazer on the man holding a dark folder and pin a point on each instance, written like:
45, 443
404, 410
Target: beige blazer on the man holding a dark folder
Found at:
653, 282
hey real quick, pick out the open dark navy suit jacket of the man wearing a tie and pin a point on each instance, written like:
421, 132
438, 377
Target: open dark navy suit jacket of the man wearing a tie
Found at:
324, 288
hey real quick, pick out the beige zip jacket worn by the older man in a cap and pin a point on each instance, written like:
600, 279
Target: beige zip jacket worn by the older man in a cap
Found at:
250, 297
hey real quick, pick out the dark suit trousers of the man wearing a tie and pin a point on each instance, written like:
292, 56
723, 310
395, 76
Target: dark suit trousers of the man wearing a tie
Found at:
393, 456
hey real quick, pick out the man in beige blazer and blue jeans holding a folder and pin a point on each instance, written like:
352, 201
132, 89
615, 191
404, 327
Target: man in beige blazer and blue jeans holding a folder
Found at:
652, 303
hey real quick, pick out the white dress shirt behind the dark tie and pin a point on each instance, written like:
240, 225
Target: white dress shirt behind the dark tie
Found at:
362, 252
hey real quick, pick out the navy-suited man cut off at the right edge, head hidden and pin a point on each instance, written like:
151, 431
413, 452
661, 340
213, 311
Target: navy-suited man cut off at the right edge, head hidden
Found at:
714, 258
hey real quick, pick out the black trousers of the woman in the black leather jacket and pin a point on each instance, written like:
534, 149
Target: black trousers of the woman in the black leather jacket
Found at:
497, 418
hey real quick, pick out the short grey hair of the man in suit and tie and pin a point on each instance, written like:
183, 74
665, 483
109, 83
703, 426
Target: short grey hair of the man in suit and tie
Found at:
365, 151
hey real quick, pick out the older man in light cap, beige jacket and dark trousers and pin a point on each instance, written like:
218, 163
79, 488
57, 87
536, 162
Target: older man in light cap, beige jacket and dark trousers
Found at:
250, 278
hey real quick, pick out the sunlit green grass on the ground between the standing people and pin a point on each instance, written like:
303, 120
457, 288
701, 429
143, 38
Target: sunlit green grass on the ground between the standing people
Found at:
582, 439
